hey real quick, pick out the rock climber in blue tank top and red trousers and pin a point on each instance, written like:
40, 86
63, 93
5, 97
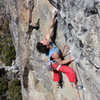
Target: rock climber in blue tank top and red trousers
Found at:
58, 64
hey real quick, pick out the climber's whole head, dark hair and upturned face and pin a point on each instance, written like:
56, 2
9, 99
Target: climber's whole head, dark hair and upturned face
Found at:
43, 47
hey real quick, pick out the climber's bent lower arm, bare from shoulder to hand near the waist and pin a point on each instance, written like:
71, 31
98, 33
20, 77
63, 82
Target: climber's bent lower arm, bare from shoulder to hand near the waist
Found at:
57, 58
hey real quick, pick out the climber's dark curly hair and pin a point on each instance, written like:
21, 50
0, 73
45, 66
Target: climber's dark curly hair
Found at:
42, 48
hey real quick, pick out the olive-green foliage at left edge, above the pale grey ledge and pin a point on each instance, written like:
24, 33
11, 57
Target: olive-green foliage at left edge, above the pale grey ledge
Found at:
7, 50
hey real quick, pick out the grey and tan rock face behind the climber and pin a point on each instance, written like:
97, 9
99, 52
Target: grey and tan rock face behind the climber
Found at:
78, 26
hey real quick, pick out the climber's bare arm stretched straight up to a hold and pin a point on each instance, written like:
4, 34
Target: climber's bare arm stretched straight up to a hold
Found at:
52, 23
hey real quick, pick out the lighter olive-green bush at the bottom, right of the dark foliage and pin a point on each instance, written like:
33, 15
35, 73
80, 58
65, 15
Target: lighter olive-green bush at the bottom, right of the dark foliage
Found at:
15, 90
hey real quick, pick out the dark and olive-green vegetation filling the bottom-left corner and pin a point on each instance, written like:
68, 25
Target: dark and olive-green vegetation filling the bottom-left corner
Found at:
10, 89
